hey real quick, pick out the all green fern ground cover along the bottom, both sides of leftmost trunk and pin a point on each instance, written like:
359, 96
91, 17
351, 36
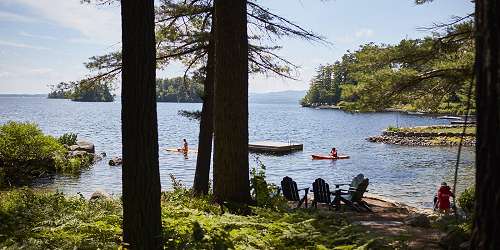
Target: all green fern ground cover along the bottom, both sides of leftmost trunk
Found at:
40, 220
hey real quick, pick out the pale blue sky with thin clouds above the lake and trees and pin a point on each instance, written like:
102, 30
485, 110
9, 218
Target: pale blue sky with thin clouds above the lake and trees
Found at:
47, 41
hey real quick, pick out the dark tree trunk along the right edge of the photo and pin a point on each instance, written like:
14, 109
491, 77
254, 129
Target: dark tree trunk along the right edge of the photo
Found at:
487, 219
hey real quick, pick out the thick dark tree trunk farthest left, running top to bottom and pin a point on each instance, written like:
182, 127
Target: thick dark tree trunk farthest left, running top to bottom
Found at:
140, 171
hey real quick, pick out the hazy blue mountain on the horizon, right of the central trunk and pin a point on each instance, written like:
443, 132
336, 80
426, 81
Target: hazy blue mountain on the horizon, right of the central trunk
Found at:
282, 97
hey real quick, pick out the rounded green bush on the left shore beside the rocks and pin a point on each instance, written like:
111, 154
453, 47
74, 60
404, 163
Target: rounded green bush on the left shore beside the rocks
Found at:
26, 153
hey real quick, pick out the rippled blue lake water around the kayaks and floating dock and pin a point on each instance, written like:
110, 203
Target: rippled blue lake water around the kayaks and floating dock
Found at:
406, 174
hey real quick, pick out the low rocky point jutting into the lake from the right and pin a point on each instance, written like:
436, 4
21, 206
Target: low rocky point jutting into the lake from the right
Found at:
412, 138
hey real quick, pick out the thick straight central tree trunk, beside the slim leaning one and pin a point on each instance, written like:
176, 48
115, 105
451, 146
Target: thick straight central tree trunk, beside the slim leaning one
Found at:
231, 181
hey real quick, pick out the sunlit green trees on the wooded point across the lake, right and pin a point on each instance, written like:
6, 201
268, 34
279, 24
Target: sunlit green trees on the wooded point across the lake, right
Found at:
430, 74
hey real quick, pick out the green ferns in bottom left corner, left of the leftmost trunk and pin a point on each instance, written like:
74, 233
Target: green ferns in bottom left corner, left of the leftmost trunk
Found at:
36, 220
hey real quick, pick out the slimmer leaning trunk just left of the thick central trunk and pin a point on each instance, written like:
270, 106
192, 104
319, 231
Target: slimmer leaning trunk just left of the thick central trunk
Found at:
201, 177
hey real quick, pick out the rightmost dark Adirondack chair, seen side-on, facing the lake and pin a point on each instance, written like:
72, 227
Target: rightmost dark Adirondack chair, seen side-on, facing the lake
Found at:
353, 197
